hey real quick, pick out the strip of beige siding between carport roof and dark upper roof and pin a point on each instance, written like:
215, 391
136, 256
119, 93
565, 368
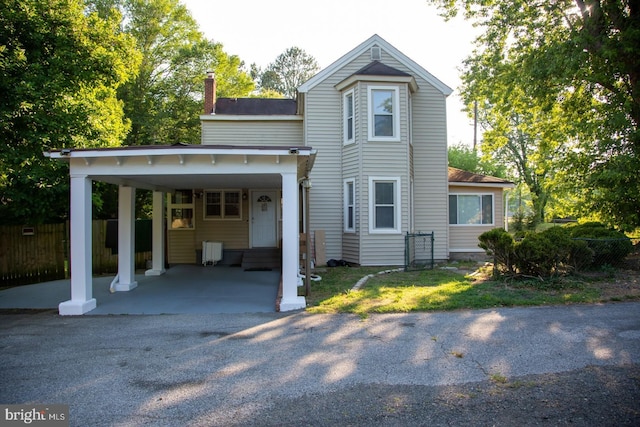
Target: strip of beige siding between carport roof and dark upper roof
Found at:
244, 132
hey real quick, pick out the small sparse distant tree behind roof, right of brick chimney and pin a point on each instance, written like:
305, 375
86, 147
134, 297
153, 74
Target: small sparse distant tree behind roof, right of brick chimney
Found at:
290, 69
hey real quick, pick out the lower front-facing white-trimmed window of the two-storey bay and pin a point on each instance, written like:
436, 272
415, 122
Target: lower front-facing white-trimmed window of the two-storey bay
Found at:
384, 205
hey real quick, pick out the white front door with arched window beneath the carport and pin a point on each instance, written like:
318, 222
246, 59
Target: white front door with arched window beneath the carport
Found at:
264, 215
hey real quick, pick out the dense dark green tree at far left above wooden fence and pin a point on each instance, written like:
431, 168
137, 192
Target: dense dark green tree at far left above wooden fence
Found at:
59, 71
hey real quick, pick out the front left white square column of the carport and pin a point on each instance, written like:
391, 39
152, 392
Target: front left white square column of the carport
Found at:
82, 299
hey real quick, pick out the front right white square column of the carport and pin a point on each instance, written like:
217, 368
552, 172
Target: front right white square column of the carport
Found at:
290, 244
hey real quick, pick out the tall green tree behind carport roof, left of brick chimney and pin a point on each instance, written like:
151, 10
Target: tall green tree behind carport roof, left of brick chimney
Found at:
164, 101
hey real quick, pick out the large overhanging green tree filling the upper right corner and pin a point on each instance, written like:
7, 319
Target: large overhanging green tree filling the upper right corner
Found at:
579, 57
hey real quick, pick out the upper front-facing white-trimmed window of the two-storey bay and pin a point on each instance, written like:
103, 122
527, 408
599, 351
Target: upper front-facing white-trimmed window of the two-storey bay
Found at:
384, 122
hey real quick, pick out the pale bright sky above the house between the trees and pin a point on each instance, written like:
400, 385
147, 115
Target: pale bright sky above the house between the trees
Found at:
258, 31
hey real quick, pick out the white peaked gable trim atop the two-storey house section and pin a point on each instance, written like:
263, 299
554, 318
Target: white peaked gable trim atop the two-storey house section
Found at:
375, 40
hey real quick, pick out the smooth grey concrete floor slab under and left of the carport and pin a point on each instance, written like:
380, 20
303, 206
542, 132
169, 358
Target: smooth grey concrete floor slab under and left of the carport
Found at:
183, 289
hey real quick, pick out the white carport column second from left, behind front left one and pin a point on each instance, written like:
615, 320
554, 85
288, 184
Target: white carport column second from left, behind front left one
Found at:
126, 239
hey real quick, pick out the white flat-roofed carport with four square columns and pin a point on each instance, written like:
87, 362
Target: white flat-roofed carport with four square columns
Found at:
164, 169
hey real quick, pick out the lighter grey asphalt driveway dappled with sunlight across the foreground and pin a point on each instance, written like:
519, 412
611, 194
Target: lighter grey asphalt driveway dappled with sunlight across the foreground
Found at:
257, 369
